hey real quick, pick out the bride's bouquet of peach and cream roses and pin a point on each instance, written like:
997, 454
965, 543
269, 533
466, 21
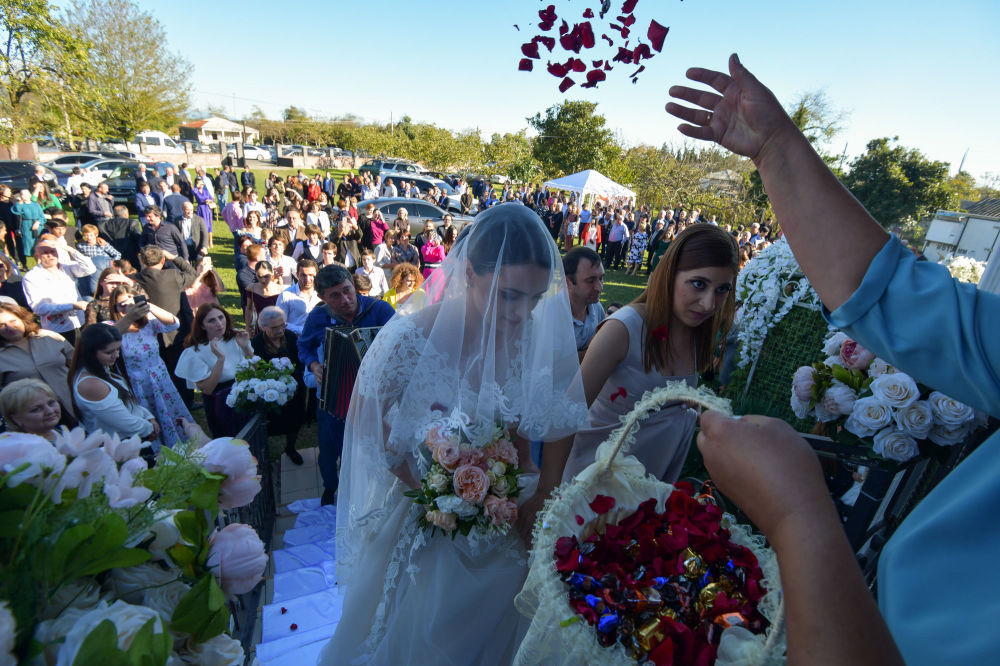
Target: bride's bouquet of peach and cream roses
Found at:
468, 486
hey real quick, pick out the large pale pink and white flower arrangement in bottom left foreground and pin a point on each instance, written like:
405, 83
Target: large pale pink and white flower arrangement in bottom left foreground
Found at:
109, 560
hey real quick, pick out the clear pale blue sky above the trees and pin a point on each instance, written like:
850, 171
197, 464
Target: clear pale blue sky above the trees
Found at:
925, 71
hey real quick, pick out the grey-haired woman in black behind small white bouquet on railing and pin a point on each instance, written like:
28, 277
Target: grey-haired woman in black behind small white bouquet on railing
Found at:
273, 342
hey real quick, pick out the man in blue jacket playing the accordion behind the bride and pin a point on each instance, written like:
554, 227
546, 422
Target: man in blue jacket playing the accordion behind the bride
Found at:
341, 306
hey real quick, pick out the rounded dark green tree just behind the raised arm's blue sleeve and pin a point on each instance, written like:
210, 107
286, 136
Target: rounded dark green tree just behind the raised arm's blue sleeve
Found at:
898, 185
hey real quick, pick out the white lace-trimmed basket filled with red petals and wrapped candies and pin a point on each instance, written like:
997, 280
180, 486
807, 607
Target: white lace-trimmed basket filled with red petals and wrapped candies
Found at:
627, 569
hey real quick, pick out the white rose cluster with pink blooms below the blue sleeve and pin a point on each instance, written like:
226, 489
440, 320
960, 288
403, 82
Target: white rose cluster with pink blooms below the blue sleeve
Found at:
860, 398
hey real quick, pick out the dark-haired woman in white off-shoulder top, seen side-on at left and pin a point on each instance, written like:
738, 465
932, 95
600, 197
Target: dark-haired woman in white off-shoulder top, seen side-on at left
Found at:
102, 394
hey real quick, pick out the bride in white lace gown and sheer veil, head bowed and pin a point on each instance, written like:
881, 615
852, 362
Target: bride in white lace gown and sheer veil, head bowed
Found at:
492, 344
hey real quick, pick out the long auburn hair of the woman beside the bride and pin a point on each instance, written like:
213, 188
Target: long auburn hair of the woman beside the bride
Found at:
699, 246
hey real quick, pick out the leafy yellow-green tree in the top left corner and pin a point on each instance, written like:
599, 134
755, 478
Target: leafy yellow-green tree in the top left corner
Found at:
37, 55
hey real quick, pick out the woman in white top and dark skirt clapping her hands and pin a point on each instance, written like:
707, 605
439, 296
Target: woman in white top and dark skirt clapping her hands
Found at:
213, 350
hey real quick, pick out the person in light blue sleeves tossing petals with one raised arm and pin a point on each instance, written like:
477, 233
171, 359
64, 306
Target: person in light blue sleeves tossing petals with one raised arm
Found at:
920, 320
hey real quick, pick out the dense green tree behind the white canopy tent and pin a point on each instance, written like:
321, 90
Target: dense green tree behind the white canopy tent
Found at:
572, 137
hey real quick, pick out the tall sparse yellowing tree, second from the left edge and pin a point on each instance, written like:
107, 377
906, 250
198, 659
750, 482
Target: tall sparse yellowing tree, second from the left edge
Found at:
133, 82
